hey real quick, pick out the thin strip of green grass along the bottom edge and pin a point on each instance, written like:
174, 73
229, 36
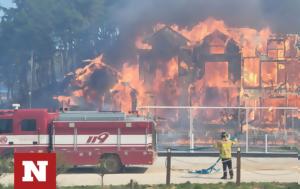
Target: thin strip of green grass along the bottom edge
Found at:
193, 186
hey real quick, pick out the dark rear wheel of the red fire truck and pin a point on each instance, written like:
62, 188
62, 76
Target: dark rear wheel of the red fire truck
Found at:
111, 163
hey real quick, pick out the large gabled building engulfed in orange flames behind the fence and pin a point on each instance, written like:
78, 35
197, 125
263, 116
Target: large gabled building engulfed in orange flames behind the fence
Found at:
210, 65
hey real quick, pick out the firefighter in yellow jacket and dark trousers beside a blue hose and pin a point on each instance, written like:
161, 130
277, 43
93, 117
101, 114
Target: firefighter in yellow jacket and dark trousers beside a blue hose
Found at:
225, 146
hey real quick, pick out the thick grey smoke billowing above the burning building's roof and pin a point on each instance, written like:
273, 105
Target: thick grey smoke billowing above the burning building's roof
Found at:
136, 17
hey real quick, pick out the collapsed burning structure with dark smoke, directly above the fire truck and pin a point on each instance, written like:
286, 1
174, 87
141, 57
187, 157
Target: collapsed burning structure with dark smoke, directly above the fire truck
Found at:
89, 85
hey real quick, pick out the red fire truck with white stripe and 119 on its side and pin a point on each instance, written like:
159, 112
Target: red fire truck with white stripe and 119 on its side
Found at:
113, 139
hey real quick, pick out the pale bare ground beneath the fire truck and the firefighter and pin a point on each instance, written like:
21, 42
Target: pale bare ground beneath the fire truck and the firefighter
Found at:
253, 170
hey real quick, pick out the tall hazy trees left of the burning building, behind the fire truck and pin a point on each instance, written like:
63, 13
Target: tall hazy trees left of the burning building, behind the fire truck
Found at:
35, 35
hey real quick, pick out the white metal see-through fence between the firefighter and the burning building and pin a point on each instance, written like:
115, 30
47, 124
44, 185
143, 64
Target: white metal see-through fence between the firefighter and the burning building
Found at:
263, 129
